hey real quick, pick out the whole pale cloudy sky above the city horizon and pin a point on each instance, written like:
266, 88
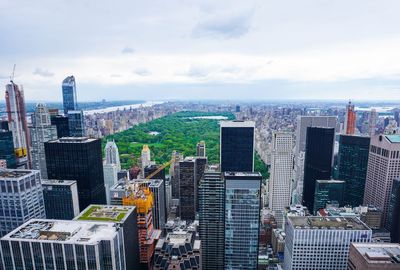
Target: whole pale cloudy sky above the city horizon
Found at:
177, 49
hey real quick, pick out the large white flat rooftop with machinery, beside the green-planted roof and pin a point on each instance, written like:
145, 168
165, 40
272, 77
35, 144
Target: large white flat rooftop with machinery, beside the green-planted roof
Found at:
66, 231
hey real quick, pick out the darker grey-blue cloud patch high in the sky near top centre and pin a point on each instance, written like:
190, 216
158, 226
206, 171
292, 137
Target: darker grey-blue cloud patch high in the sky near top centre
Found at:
224, 26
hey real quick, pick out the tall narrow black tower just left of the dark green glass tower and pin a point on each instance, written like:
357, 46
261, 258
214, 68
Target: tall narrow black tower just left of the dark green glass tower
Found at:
318, 160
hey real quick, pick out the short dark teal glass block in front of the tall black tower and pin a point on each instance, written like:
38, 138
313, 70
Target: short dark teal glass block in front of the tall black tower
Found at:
328, 191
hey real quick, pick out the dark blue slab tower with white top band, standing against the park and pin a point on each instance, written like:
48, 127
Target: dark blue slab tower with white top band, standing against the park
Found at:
237, 146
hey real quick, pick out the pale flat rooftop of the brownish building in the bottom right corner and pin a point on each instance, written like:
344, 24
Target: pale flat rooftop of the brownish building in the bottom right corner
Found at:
379, 252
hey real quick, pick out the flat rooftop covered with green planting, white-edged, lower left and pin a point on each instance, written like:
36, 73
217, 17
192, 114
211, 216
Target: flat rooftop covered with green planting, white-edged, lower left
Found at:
107, 213
